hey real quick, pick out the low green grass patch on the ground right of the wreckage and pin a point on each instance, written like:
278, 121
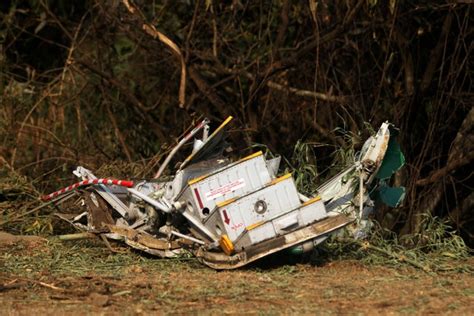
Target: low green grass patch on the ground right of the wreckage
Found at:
437, 249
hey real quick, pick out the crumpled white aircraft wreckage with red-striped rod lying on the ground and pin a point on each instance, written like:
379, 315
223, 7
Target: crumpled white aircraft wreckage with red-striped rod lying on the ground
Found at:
229, 214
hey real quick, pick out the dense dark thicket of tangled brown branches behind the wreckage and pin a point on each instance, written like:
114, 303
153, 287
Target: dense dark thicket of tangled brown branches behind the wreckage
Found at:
81, 83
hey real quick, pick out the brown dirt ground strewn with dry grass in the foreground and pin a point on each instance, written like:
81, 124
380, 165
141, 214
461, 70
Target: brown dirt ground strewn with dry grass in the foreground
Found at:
50, 277
